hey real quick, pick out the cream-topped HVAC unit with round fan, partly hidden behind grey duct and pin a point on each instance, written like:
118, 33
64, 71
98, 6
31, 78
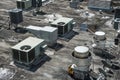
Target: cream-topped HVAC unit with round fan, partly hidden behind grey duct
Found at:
64, 25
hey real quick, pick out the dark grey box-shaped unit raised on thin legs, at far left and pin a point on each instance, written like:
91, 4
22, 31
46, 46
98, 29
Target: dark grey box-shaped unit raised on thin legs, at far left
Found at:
16, 16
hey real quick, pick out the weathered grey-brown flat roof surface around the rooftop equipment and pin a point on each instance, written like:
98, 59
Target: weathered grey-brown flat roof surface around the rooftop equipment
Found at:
58, 58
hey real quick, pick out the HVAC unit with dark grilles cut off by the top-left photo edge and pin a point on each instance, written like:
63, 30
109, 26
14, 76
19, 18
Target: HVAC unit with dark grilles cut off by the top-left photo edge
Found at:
24, 4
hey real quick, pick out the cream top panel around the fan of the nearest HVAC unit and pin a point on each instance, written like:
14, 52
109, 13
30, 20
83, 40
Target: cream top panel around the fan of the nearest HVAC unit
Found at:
30, 41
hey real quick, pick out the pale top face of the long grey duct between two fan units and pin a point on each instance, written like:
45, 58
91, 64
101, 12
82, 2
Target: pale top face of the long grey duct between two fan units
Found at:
46, 28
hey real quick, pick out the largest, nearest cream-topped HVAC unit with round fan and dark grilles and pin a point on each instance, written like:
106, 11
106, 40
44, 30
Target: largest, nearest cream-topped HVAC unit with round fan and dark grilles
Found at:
28, 50
